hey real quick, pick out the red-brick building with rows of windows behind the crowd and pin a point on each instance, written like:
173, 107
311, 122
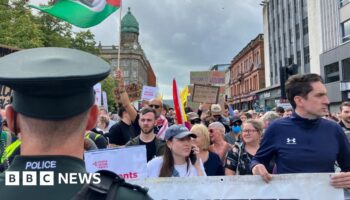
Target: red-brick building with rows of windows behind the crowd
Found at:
247, 75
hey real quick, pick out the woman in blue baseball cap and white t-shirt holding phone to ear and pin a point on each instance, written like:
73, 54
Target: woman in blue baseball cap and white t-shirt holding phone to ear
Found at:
180, 156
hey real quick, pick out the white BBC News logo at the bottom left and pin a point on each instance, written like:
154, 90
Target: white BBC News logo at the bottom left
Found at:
47, 178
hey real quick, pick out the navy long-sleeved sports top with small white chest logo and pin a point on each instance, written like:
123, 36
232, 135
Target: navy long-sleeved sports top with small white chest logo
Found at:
304, 146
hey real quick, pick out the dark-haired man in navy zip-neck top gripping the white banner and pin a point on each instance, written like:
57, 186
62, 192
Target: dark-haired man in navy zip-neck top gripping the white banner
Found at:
305, 142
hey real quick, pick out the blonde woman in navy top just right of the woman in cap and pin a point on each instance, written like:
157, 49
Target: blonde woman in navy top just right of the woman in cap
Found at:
212, 162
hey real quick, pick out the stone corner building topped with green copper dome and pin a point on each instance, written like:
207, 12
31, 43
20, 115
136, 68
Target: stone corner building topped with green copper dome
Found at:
133, 61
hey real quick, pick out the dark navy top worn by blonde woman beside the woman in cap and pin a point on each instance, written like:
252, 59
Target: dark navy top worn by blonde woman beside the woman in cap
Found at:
213, 166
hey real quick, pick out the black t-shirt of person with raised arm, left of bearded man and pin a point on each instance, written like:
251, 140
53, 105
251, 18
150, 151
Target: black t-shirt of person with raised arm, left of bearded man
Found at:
120, 133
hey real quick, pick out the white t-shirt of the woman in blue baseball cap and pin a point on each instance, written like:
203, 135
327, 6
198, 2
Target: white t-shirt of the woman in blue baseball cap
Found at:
154, 166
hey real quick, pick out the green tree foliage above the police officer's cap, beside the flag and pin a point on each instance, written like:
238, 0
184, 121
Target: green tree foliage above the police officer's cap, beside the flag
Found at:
20, 28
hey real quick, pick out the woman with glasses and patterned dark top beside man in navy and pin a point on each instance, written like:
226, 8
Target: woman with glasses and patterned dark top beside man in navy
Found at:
239, 157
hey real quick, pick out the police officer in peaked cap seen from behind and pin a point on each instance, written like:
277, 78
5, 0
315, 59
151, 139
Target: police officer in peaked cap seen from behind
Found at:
52, 107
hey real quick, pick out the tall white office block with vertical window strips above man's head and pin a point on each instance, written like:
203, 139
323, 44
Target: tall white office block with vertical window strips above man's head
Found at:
287, 27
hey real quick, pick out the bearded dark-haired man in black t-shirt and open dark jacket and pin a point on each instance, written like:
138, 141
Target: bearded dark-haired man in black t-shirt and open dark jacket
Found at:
154, 145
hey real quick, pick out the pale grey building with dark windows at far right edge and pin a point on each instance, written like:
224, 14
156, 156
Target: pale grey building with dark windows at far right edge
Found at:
335, 56
